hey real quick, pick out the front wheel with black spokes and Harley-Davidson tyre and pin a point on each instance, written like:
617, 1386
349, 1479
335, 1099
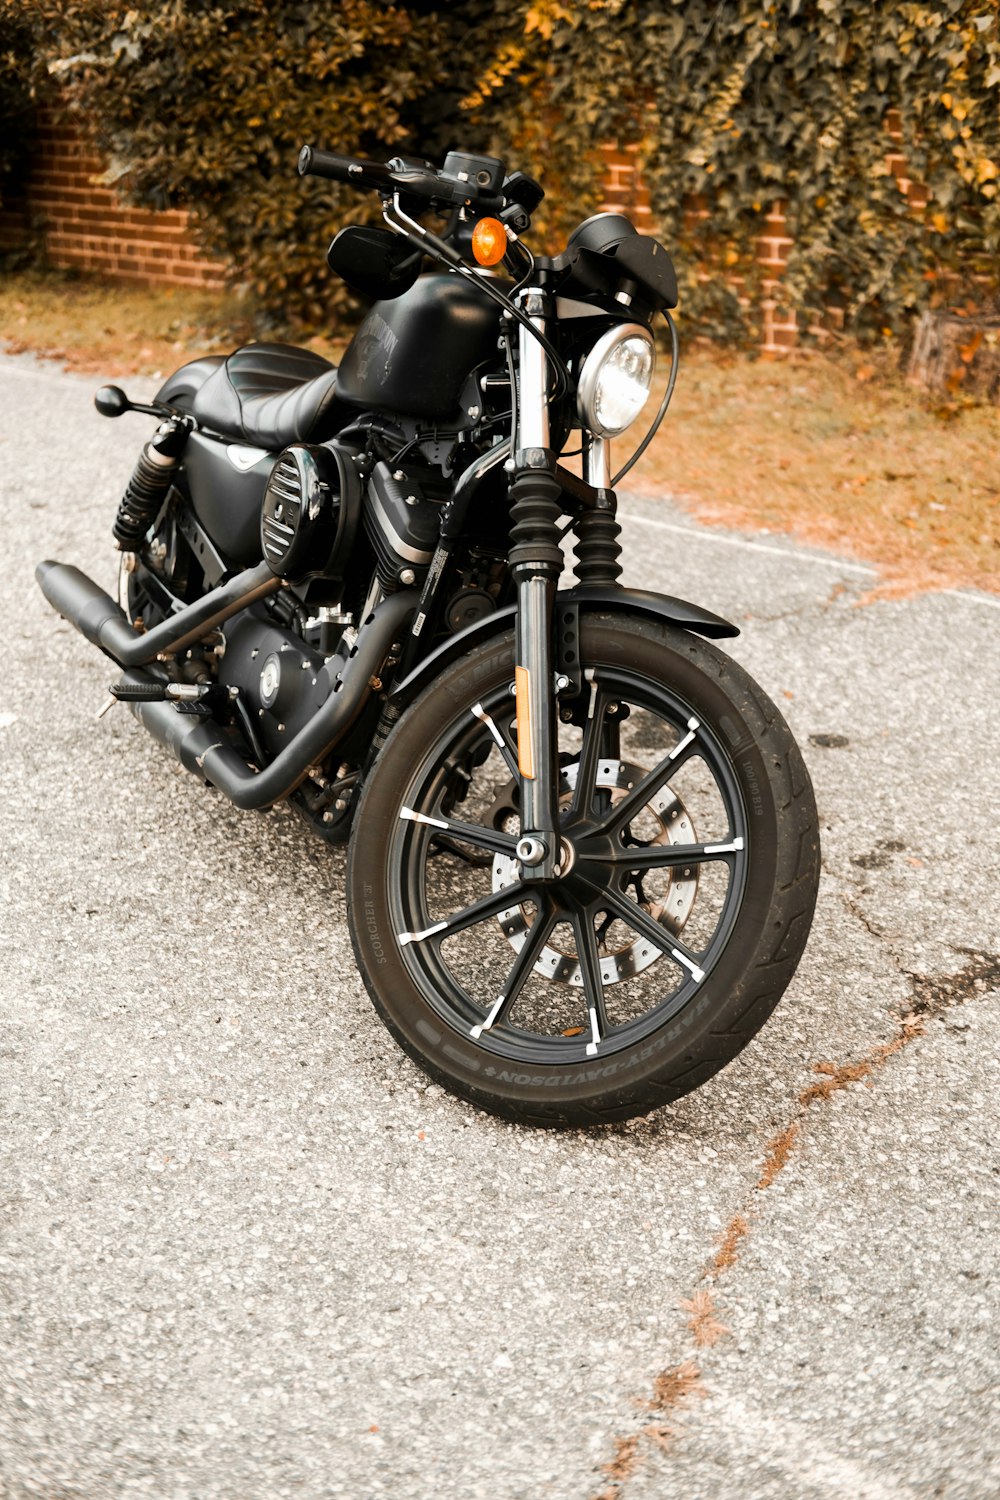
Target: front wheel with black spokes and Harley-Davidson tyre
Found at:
690, 866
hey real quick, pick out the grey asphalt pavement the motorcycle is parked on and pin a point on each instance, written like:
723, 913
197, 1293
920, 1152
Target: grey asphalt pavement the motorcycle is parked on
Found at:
247, 1253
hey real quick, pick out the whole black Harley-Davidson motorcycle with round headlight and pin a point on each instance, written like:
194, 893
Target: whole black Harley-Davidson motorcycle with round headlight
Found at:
584, 845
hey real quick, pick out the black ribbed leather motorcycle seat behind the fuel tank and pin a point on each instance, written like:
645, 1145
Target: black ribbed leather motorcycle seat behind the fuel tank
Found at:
271, 395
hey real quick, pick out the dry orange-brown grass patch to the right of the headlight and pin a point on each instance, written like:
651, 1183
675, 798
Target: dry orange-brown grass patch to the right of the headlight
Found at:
842, 454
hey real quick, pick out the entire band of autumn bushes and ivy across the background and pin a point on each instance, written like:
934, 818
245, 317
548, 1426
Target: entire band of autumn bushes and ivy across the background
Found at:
876, 130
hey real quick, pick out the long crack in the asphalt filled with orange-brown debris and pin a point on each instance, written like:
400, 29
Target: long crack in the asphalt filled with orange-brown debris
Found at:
674, 1390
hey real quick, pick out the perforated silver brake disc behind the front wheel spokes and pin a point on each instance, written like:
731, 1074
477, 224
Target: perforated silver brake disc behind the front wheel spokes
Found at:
671, 911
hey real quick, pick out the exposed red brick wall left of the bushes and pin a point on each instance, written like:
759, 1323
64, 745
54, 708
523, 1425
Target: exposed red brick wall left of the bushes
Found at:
85, 224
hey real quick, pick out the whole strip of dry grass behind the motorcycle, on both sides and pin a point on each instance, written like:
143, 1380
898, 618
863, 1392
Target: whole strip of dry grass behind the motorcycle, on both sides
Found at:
836, 451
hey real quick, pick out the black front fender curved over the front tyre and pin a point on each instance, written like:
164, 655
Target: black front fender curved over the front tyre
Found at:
591, 599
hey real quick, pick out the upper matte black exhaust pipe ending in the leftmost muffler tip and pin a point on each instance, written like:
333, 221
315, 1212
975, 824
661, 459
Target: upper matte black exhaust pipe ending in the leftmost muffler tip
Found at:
97, 616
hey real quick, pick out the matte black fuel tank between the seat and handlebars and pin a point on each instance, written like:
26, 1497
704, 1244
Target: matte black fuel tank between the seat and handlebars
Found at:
415, 355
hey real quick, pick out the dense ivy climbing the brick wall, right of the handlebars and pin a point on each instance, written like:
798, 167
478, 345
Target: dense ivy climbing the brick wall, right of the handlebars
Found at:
876, 127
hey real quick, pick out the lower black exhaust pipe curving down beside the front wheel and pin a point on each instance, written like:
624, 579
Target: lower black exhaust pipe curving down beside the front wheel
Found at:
203, 749
